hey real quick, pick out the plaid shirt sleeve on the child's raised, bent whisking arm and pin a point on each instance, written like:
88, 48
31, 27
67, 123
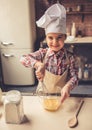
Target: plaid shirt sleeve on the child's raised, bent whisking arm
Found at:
30, 59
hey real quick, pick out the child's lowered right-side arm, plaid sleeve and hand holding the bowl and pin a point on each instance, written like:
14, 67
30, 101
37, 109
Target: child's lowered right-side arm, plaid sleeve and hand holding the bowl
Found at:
72, 80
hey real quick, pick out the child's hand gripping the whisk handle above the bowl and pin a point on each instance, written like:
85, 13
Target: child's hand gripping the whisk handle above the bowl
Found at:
40, 71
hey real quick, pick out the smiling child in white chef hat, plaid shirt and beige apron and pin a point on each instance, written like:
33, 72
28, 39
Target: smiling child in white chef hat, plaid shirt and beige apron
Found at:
55, 66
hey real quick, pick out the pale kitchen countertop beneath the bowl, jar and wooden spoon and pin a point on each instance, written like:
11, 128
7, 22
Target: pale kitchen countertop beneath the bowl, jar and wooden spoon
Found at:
41, 119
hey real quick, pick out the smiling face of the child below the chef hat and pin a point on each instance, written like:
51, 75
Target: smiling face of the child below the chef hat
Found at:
55, 41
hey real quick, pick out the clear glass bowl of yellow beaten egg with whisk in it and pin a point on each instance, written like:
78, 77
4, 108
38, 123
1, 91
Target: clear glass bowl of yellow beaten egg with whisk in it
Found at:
49, 101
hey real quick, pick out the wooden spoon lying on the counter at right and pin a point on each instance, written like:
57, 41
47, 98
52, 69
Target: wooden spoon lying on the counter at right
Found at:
74, 120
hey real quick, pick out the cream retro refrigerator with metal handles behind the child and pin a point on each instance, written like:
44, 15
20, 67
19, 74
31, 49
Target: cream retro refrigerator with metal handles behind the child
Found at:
17, 36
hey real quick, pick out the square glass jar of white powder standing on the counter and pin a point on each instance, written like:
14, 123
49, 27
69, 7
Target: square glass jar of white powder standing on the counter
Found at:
13, 107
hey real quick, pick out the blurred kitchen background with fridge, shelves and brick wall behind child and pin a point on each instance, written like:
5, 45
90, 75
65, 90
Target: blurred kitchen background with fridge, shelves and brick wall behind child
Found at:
19, 35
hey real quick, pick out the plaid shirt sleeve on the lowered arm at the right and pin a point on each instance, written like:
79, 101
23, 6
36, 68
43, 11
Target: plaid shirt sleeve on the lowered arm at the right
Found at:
73, 72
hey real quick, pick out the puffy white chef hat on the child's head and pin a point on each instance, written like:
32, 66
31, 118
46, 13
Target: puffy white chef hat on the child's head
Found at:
54, 19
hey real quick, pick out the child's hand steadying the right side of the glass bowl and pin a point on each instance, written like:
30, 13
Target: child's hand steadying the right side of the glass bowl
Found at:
65, 93
